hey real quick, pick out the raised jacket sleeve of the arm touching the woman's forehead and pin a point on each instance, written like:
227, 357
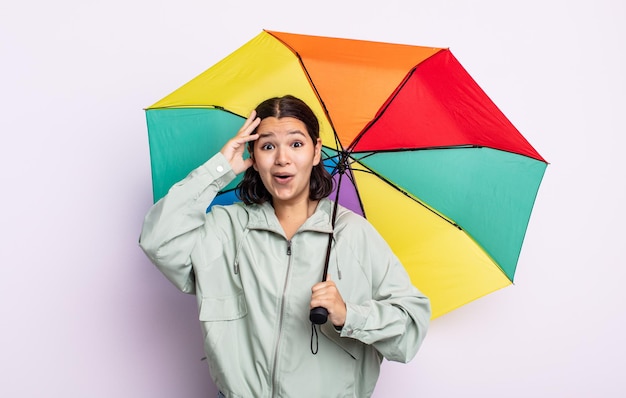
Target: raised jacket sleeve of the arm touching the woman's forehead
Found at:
174, 225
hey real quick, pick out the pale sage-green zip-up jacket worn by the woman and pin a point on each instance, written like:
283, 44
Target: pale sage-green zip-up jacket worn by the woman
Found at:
253, 288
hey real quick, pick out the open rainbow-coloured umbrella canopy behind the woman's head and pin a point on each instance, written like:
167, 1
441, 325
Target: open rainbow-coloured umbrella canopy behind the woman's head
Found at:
431, 161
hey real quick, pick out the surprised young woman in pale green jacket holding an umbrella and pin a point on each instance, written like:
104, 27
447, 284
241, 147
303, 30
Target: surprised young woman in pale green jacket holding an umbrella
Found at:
255, 267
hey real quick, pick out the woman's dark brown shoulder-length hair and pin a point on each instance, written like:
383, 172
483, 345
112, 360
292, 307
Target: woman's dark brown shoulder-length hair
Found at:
251, 189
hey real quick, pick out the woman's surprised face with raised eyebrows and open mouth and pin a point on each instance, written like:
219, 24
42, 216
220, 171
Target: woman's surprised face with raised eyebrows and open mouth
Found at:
284, 155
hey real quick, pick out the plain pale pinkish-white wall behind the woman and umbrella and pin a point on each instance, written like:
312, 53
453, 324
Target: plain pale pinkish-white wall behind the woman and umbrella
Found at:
84, 314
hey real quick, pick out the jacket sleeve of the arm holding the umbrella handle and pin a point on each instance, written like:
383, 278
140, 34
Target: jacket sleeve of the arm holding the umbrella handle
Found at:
396, 319
